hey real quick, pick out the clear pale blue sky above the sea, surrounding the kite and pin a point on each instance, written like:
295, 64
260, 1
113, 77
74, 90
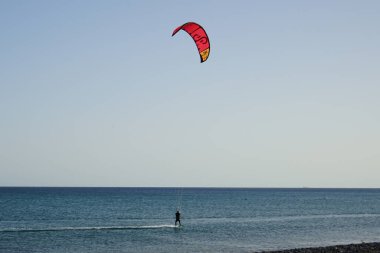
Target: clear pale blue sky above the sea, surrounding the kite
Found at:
98, 93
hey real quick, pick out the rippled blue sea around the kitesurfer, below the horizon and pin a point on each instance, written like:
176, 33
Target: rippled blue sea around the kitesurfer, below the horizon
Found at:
94, 220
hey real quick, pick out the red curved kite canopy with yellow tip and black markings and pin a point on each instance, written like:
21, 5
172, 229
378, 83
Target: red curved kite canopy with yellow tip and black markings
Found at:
199, 36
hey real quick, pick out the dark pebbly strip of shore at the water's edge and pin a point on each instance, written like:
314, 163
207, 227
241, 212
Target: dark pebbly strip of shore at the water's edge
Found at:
372, 247
